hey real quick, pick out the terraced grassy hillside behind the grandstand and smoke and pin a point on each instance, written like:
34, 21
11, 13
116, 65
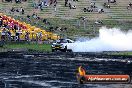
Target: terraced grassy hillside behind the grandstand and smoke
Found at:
116, 16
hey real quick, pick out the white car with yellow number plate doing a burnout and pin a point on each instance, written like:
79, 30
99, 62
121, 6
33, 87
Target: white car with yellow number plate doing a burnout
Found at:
62, 45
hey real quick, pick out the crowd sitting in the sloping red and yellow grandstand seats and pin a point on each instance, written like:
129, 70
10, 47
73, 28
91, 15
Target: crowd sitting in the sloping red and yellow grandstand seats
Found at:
12, 30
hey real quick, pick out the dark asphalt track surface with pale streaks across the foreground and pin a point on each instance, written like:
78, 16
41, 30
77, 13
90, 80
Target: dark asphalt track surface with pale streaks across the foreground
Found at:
57, 70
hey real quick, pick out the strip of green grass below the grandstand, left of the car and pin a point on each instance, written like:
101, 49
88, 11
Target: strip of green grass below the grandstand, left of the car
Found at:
35, 47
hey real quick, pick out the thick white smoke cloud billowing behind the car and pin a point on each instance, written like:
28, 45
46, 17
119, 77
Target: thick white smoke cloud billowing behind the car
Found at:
109, 40
